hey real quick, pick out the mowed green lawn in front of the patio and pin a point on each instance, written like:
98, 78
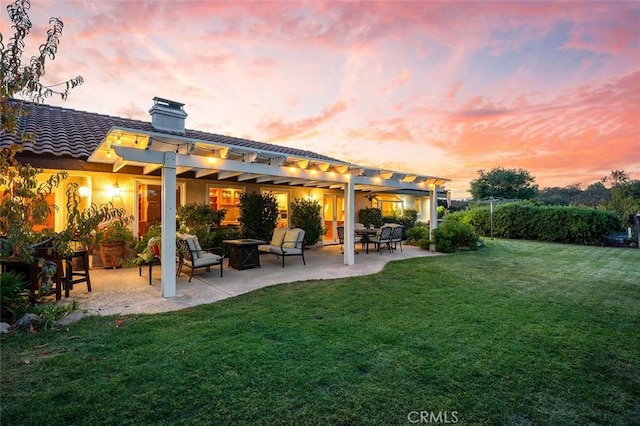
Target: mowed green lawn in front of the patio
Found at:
517, 333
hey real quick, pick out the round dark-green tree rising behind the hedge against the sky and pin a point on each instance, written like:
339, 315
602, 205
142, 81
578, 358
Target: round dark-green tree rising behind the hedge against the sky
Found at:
504, 183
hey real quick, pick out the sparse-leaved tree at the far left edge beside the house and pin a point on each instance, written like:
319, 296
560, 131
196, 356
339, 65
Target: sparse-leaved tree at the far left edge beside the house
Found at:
23, 202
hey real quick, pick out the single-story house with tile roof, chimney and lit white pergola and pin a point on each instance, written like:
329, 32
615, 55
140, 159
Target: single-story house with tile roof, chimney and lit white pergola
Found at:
149, 168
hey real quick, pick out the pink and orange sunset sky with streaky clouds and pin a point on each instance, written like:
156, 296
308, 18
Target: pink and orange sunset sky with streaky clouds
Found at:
436, 88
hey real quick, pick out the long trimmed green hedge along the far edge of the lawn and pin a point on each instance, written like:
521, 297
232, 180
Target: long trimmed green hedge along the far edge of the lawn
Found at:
528, 221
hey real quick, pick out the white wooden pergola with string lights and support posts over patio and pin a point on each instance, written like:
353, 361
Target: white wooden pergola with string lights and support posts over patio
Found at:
175, 154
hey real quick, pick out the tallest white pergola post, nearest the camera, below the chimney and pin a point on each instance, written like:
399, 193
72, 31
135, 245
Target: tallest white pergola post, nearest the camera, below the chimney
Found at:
168, 254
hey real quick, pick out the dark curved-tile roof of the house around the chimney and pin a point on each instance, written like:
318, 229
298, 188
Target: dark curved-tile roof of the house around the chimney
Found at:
66, 132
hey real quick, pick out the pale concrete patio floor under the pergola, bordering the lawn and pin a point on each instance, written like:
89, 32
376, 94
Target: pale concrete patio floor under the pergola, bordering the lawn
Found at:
123, 291
